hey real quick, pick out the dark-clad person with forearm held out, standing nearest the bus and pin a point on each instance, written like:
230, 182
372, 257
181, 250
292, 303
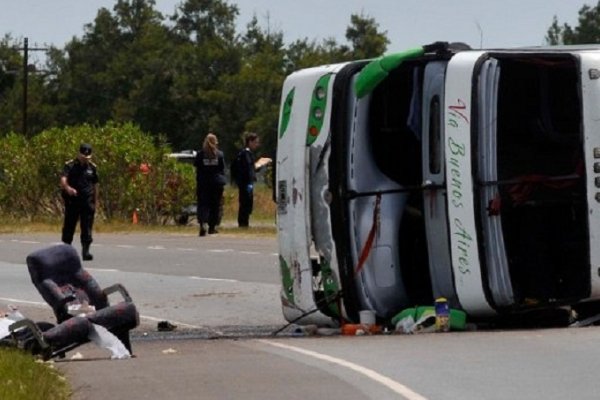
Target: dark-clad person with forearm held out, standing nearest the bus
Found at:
245, 177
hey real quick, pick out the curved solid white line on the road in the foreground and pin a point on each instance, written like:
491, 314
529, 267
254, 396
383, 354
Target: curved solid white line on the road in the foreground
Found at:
391, 384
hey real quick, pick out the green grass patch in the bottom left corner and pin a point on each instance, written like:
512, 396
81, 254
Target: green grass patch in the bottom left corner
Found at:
22, 377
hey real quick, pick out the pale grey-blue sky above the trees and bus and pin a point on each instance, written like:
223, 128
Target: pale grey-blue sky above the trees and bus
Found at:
408, 23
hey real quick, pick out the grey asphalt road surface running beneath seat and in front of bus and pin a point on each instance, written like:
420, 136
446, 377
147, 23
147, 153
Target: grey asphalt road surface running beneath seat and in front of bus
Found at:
226, 288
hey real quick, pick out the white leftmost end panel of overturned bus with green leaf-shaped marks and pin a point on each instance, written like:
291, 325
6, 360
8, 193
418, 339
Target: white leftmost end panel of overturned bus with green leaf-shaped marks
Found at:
293, 201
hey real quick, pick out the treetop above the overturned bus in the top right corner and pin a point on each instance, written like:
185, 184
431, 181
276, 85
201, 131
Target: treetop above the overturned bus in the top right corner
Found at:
588, 30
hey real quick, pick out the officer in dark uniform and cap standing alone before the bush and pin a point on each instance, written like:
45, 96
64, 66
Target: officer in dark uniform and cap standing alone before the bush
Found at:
79, 185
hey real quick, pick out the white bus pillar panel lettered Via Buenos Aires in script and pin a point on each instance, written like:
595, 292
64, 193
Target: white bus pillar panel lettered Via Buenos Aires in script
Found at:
461, 209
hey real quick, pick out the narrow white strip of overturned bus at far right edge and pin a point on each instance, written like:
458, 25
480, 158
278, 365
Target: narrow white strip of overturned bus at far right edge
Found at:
590, 88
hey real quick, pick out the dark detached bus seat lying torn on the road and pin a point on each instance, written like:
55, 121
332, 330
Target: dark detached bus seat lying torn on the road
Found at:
68, 288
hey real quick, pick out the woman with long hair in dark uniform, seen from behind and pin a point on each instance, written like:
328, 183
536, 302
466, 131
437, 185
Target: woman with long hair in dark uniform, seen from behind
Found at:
210, 180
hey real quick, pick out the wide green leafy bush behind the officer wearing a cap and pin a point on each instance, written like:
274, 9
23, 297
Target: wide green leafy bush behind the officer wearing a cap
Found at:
134, 171
